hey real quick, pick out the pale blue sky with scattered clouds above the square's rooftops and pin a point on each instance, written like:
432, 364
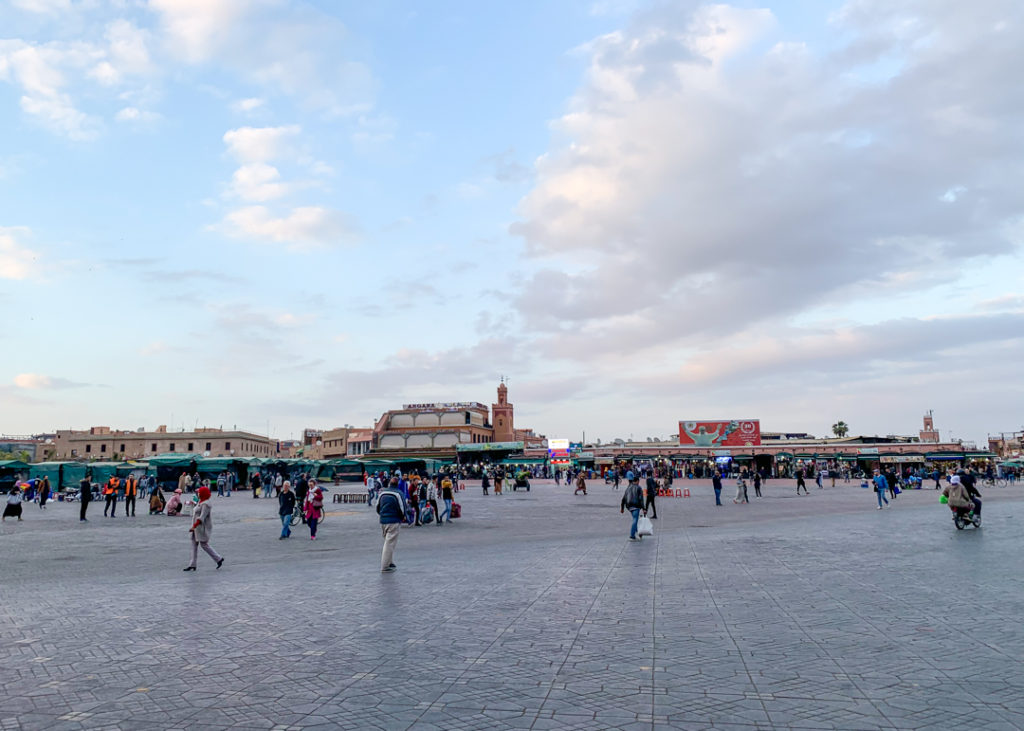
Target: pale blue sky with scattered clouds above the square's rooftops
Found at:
274, 216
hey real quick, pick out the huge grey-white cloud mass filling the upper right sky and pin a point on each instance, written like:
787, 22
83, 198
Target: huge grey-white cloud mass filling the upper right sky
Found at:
715, 178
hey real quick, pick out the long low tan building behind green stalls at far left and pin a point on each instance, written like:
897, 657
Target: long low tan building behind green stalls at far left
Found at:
107, 444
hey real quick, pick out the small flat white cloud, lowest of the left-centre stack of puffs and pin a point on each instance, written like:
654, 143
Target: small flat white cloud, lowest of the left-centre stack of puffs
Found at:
304, 228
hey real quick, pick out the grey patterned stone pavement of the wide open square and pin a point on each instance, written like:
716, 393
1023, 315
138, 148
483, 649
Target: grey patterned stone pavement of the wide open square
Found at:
533, 612
